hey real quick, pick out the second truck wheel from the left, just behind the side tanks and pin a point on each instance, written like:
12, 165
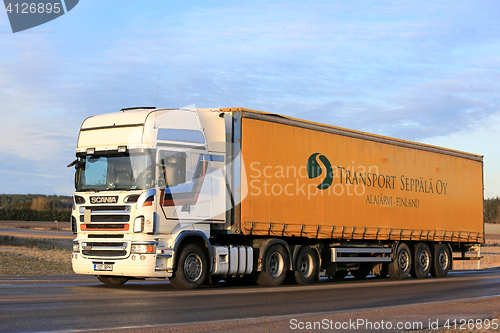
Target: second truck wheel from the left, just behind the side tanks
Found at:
275, 266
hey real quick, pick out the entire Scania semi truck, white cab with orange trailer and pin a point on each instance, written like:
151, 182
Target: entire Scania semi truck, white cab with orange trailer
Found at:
198, 195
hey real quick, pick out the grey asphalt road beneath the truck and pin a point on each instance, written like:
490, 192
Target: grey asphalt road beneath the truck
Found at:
75, 303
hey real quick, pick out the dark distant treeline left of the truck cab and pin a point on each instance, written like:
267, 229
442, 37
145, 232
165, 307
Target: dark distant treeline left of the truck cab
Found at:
35, 207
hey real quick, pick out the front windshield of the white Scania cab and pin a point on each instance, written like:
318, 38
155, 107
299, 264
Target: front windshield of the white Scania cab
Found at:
133, 170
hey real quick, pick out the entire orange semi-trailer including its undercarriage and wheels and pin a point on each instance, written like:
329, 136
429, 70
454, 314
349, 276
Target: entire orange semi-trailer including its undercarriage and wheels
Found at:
348, 201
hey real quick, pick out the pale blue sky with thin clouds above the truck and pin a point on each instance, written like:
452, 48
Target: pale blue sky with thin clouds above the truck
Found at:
415, 70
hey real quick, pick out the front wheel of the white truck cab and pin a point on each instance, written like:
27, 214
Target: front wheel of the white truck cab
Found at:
191, 269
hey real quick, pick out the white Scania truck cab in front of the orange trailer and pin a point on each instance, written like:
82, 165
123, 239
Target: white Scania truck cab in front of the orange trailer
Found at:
145, 179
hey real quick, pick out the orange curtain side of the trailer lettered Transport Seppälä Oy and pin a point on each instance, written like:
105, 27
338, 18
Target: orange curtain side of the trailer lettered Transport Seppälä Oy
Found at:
318, 181
